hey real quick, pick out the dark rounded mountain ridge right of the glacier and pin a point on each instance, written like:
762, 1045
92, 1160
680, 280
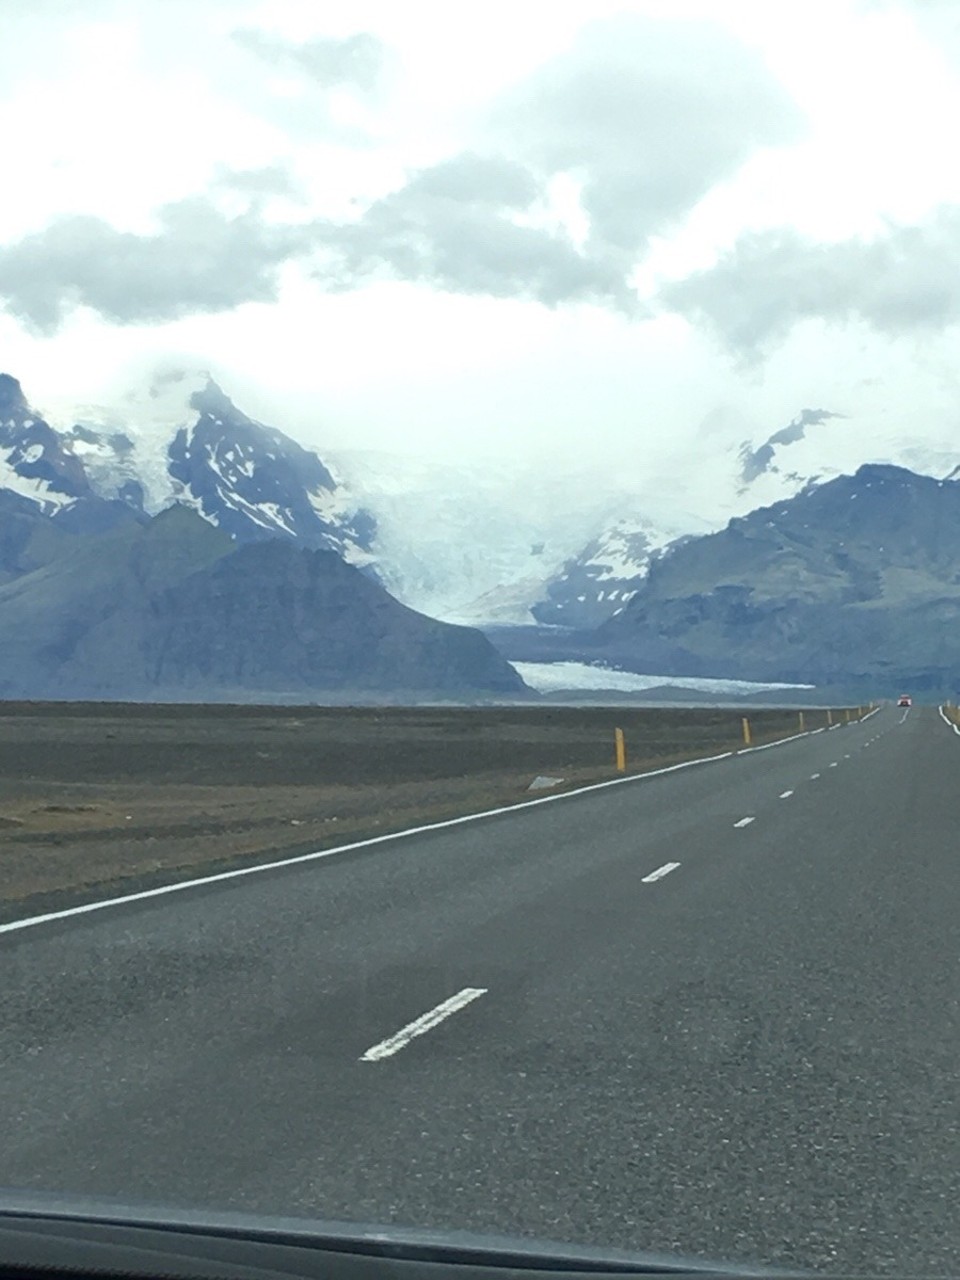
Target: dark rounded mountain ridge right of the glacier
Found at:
856, 579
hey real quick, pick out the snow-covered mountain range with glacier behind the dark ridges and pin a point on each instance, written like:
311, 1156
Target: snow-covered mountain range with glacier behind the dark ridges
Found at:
478, 545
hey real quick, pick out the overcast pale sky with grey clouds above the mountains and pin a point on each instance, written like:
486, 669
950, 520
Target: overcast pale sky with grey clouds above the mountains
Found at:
573, 228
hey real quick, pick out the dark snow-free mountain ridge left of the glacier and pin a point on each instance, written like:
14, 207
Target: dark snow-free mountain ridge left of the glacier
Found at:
175, 610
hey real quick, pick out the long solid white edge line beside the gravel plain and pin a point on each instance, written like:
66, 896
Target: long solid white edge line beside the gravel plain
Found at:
299, 860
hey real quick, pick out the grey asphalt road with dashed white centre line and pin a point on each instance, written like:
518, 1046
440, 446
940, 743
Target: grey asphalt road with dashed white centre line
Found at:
666, 1027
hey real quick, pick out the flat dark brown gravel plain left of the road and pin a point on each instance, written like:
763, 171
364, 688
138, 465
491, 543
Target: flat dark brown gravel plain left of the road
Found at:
102, 796
